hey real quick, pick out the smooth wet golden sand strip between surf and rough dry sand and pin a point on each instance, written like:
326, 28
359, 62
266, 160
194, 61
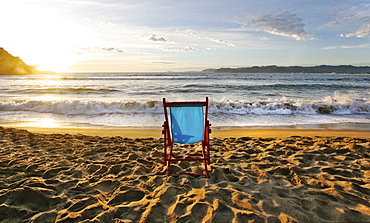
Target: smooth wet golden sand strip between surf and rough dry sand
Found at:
216, 133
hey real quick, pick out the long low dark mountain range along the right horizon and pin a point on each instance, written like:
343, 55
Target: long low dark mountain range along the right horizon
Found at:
342, 69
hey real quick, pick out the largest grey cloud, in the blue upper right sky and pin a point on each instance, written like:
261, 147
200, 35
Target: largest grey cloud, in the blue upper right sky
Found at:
284, 24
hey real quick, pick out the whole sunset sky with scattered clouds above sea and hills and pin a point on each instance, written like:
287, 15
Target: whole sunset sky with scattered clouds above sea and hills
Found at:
191, 35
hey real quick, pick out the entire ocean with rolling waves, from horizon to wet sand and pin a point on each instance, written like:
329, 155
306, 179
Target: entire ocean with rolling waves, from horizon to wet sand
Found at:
237, 100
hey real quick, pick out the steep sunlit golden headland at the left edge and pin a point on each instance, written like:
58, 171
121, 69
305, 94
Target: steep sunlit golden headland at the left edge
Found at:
10, 65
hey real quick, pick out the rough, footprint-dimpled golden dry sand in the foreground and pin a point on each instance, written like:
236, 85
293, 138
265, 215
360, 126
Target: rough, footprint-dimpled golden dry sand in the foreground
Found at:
254, 178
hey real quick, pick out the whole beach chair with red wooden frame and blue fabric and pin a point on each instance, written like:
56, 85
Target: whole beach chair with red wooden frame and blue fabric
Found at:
186, 123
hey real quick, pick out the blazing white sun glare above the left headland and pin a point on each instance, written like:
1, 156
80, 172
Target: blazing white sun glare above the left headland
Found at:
42, 36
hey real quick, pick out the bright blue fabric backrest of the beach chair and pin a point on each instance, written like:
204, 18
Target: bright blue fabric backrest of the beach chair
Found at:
187, 123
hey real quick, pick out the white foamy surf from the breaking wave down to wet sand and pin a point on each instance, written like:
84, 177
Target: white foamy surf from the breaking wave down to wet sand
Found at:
336, 108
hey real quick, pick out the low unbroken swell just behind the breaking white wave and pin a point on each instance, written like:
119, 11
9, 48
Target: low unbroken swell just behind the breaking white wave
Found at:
189, 88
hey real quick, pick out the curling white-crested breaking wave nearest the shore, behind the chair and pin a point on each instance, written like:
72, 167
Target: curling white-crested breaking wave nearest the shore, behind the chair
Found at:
338, 104
